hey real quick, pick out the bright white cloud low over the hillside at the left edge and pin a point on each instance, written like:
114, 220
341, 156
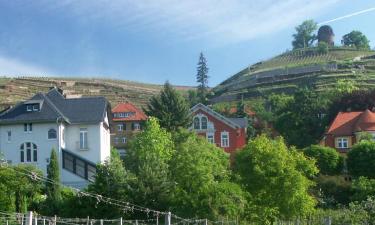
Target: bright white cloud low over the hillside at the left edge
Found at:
14, 67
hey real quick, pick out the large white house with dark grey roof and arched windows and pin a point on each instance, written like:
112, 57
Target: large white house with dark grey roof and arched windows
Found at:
77, 128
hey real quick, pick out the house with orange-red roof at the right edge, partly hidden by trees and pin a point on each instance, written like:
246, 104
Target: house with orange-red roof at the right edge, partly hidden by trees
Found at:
345, 129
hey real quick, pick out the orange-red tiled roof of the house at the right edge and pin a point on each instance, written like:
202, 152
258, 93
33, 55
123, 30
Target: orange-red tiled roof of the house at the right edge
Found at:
346, 123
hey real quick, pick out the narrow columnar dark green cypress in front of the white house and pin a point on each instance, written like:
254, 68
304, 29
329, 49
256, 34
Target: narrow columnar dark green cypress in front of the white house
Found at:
53, 187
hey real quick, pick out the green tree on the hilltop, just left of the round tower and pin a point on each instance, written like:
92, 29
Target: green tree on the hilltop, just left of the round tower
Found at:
304, 36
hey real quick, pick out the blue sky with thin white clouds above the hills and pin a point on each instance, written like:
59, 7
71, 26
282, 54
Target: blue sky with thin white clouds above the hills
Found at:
154, 41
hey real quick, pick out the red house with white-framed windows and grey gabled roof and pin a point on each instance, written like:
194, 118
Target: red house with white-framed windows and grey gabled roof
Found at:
224, 132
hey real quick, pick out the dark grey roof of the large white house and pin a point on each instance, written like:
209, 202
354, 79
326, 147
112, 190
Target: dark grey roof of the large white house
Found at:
54, 105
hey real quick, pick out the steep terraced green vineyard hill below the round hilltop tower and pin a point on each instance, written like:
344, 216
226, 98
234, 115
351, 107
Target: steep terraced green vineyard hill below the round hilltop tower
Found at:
288, 71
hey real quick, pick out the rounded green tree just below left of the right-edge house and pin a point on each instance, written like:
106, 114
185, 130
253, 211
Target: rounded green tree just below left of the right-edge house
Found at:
328, 160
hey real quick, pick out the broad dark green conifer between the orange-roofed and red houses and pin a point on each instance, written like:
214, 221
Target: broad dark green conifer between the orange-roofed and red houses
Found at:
170, 108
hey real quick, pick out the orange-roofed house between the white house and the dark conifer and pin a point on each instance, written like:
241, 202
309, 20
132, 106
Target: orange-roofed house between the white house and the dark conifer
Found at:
127, 121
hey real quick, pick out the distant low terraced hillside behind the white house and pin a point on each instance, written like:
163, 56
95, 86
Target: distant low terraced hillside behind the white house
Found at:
13, 90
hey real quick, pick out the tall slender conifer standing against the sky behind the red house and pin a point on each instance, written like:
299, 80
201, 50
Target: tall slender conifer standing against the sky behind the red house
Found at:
202, 78
